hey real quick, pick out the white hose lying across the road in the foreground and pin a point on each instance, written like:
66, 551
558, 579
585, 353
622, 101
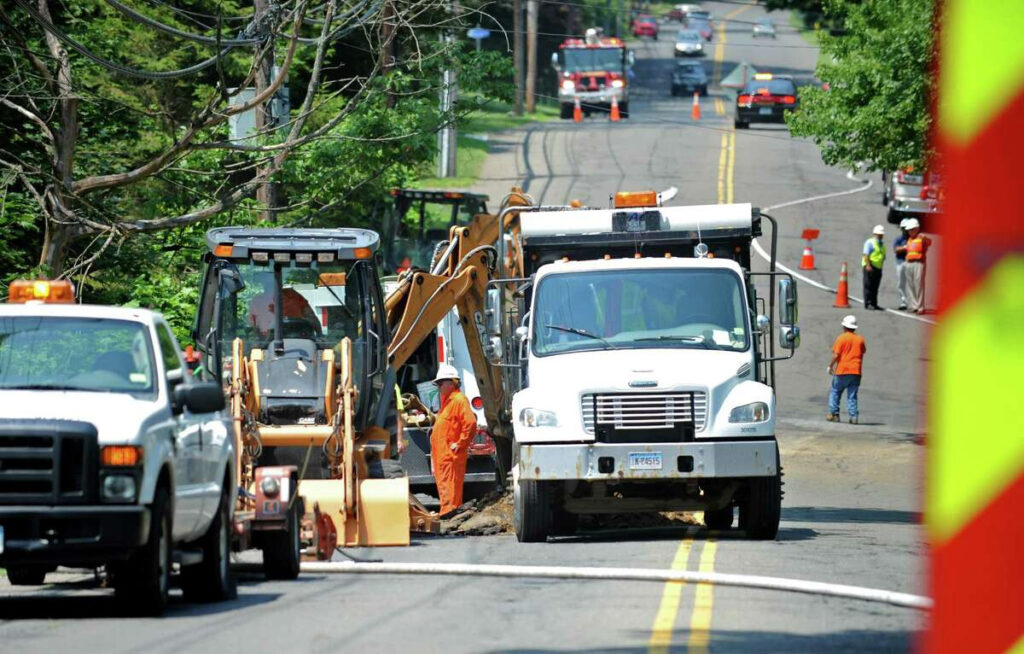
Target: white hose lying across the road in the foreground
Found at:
624, 575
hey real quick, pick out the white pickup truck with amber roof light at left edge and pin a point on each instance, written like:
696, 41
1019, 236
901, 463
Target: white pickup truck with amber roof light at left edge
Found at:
111, 455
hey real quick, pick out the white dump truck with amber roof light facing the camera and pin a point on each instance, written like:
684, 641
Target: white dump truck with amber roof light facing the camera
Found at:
644, 366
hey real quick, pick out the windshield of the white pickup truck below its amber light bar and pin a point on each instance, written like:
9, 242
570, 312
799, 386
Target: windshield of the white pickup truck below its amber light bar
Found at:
75, 355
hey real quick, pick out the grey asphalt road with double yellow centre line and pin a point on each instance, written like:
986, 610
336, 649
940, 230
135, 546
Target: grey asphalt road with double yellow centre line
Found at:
851, 512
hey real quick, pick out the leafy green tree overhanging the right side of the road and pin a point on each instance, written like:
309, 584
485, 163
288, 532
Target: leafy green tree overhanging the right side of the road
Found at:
877, 108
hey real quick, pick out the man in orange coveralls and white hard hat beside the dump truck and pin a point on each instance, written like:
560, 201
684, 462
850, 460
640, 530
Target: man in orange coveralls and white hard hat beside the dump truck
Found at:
451, 439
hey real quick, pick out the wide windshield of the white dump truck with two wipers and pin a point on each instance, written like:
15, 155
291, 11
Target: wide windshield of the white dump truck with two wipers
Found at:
624, 310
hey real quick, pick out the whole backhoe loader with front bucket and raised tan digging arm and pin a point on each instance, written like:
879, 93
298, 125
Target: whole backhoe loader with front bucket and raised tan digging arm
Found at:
294, 324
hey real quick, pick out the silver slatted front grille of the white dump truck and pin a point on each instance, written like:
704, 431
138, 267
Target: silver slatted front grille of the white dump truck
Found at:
645, 411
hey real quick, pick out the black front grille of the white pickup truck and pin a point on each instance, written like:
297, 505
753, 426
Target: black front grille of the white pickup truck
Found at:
48, 463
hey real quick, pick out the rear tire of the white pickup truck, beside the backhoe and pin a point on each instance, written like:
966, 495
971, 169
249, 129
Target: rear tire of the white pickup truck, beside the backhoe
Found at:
212, 581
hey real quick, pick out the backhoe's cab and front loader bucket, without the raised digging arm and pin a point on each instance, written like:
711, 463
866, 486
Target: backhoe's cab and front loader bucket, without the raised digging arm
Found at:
292, 324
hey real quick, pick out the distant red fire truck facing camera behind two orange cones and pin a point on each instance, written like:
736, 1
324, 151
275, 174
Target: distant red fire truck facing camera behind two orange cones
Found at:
594, 71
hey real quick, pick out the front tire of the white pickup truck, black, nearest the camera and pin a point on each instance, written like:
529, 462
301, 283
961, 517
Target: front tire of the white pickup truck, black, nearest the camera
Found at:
142, 584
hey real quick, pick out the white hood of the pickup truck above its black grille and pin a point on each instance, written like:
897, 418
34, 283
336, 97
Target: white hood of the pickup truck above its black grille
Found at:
117, 417
